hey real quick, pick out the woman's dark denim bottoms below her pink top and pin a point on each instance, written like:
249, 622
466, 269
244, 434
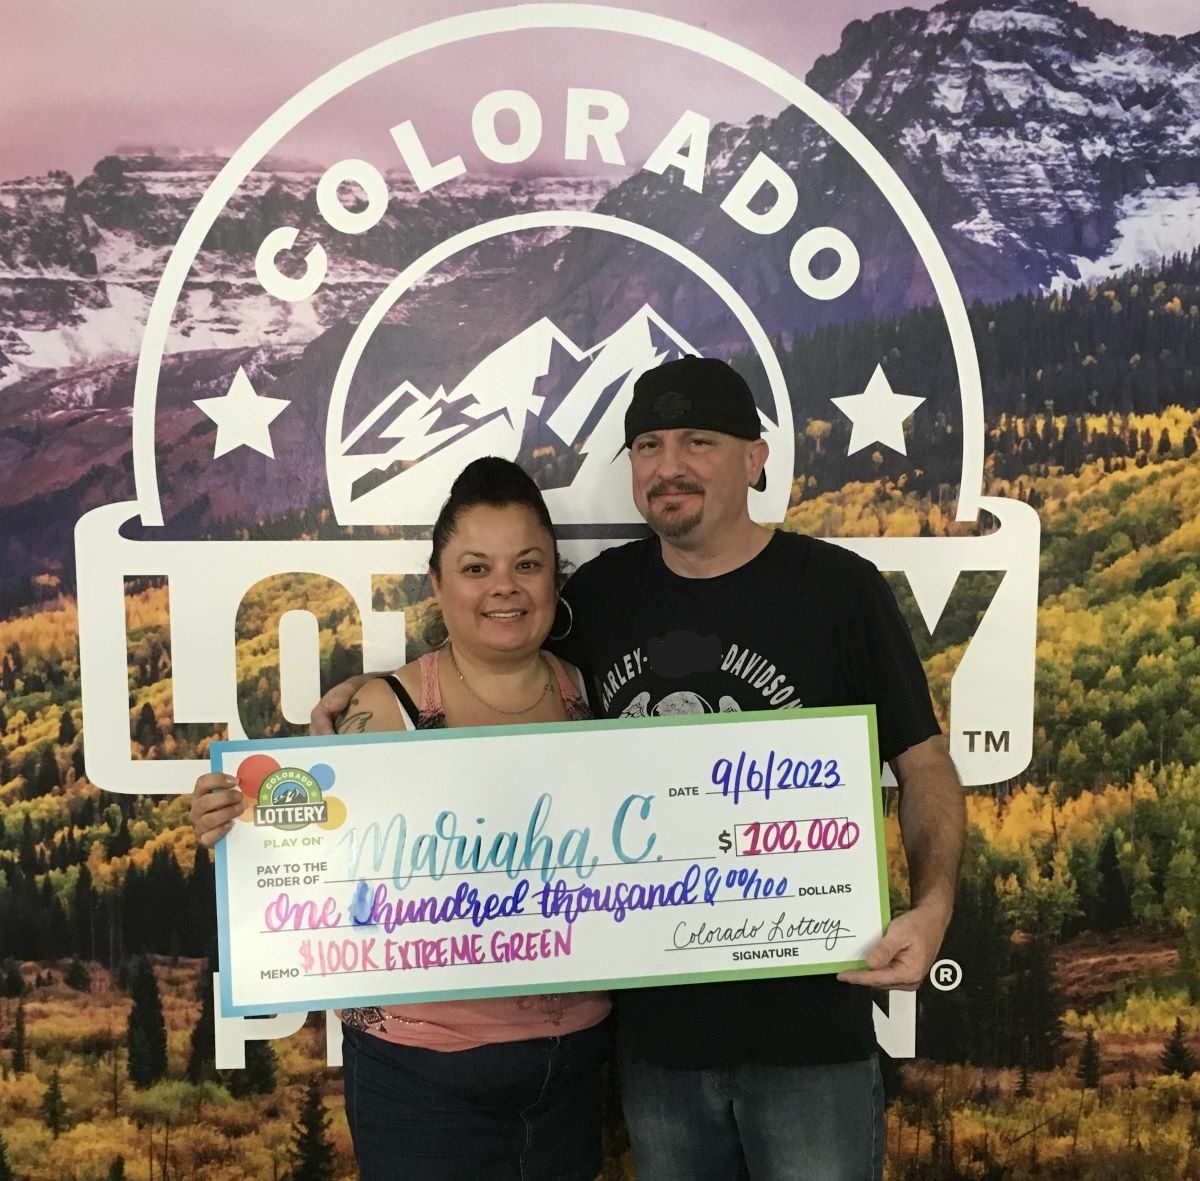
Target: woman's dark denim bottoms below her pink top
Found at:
512, 1112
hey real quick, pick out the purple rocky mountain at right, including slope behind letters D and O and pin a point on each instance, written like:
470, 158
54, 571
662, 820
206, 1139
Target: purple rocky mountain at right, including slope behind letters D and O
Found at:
1045, 146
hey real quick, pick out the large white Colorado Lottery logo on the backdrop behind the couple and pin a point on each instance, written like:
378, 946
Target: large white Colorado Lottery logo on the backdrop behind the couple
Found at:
513, 319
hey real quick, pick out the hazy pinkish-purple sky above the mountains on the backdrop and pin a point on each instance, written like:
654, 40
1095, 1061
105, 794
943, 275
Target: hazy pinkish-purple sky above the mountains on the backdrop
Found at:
83, 77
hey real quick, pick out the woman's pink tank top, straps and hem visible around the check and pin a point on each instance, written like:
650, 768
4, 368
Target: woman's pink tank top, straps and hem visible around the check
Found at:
464, 1026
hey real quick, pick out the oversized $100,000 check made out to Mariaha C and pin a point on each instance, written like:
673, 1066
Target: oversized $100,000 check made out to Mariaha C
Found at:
433, 865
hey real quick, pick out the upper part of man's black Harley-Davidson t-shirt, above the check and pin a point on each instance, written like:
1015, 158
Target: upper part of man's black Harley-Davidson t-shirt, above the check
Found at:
805, 624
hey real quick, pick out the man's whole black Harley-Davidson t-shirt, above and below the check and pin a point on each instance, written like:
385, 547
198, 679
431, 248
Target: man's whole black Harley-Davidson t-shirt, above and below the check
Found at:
806, 624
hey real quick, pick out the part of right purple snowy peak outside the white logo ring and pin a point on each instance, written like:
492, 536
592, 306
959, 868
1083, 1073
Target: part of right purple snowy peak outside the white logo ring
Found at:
1046, 145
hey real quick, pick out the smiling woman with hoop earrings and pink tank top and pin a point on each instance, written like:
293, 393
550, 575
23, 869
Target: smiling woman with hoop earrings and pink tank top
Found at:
506, 1087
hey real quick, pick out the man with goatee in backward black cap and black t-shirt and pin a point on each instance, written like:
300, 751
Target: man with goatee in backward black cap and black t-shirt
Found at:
778, 1078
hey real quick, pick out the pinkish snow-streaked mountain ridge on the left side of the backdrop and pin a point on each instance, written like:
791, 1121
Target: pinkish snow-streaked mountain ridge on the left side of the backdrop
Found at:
80, 263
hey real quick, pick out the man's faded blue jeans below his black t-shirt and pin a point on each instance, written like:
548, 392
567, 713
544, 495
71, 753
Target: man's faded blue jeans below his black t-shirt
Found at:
757, 1123
